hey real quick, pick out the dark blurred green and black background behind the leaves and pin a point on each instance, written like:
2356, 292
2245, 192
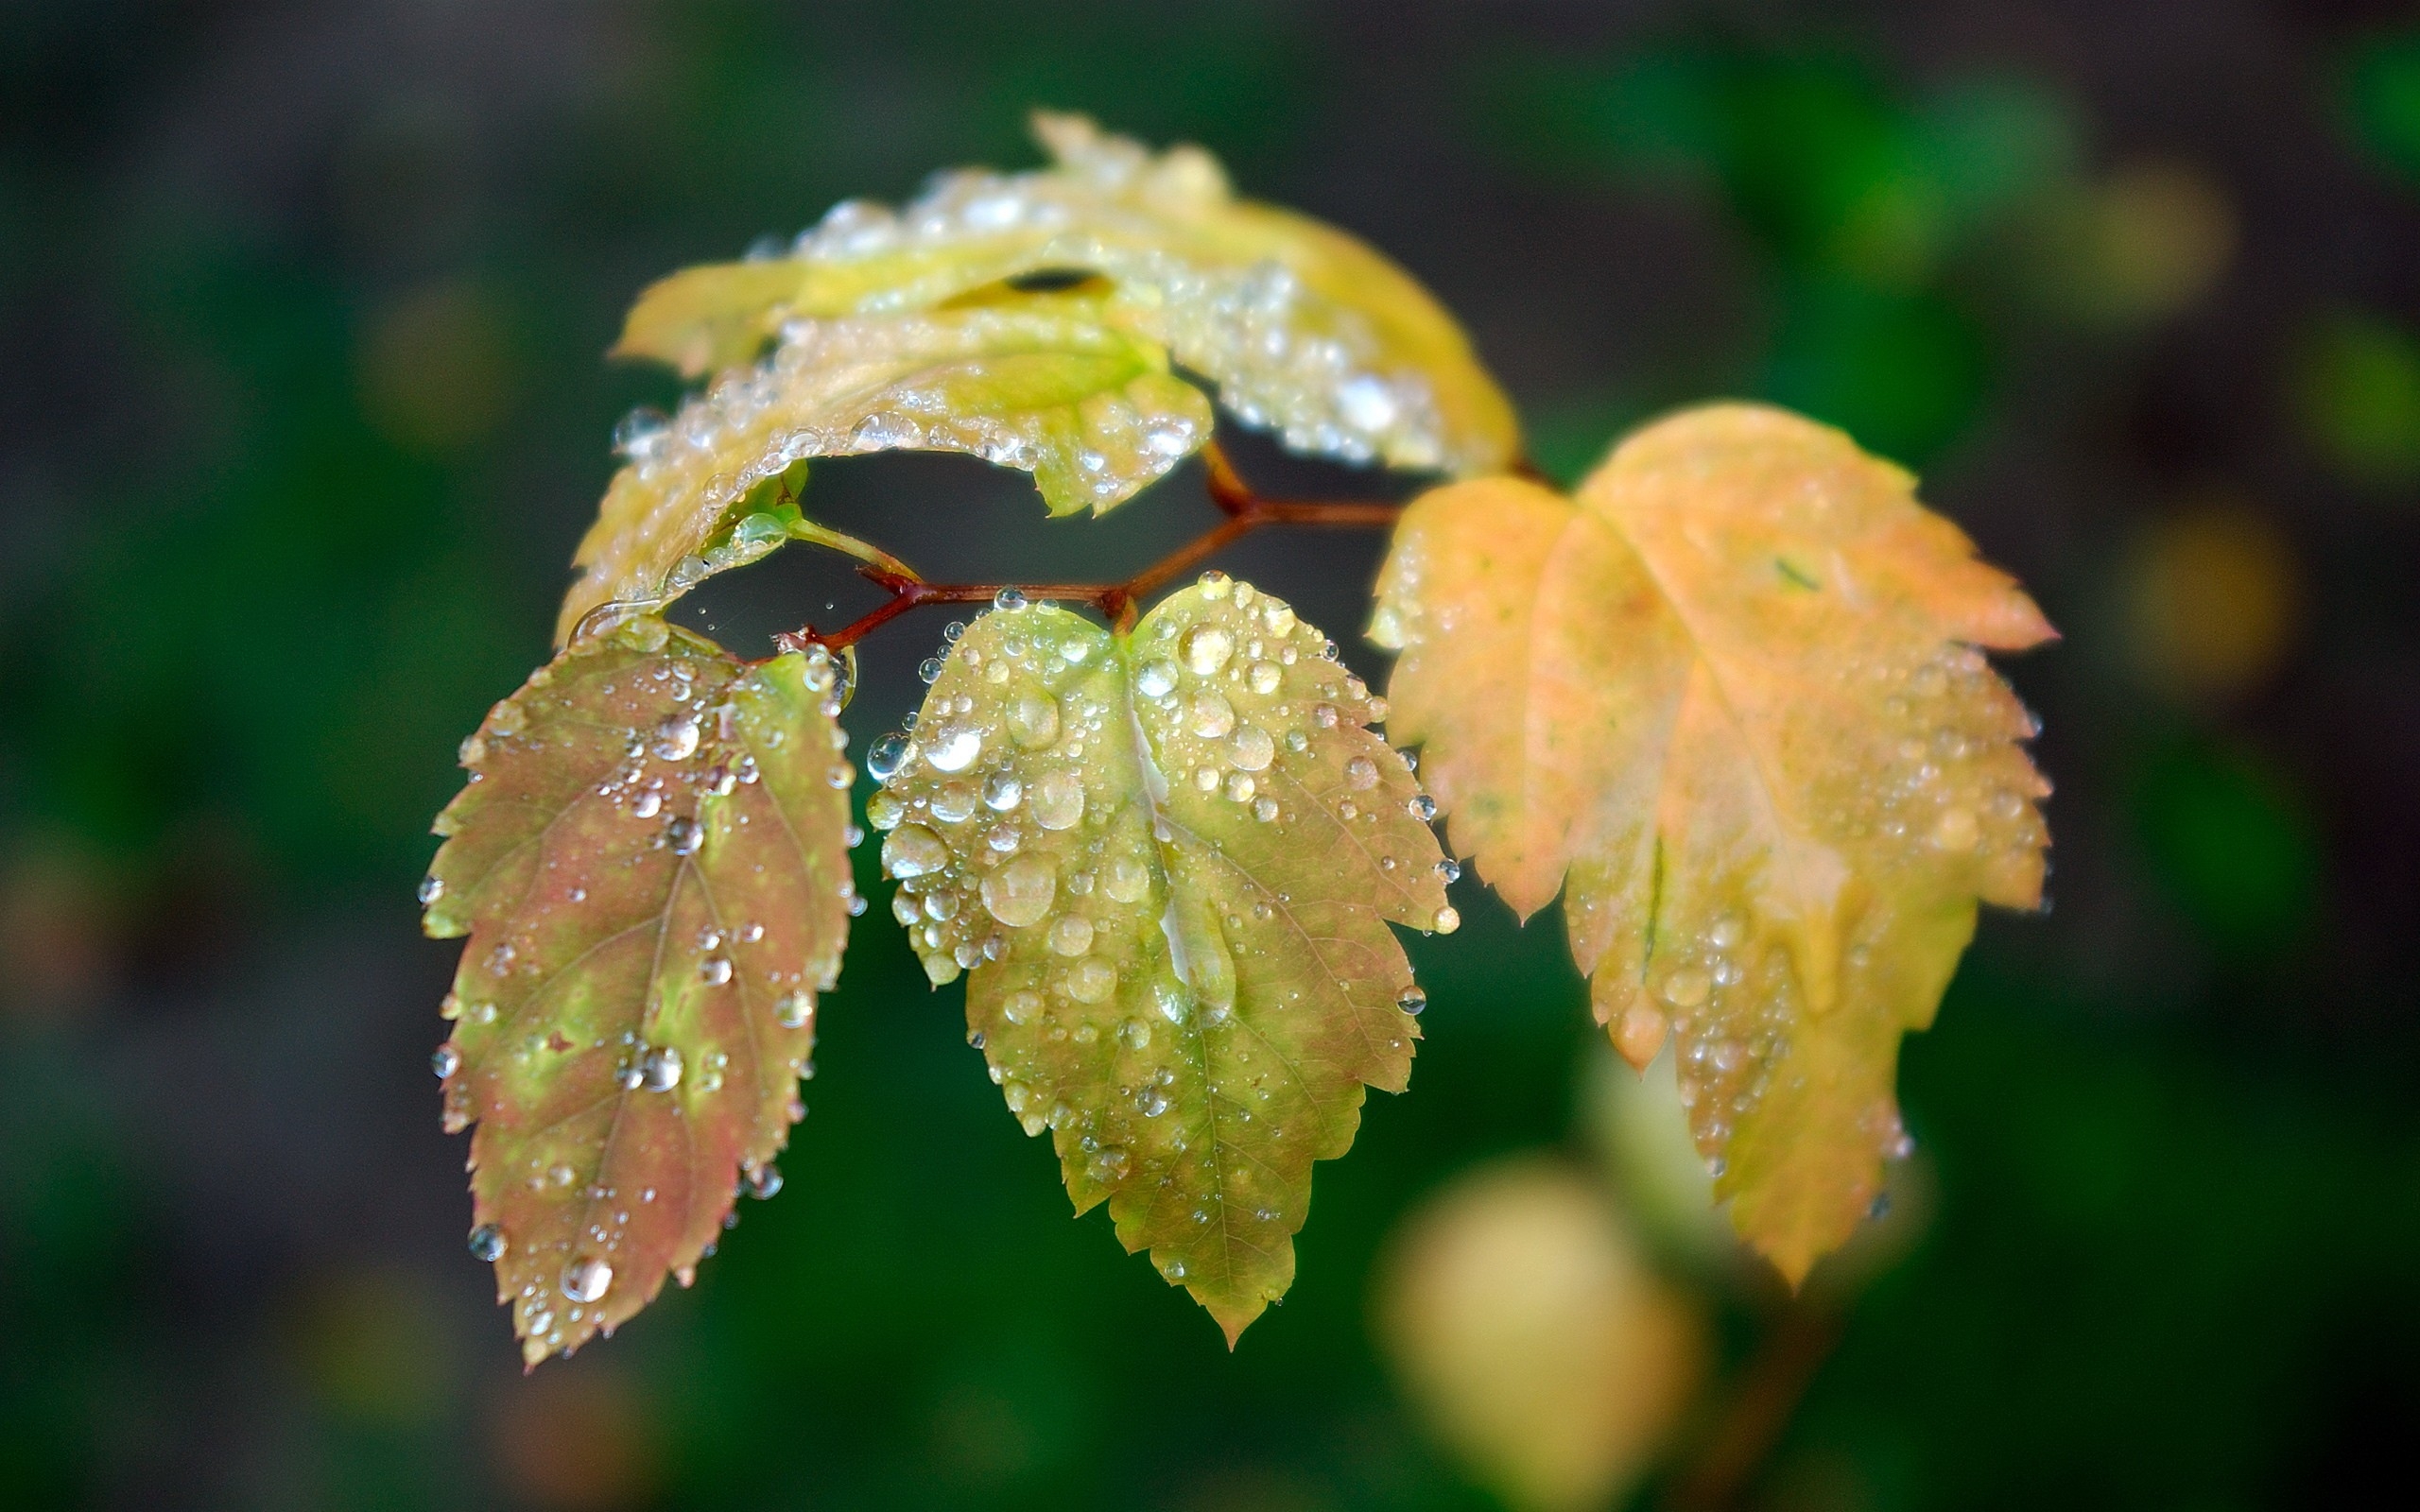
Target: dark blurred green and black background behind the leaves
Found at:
301, 313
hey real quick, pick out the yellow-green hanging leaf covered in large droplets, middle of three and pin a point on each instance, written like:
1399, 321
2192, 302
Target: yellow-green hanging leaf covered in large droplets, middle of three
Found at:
1170, 862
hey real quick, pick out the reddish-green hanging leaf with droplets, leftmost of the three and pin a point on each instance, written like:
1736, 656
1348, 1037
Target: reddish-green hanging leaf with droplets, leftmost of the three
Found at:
650, 862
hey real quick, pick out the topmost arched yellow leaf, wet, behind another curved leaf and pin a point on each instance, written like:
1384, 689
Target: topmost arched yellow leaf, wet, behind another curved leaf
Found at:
1303, 328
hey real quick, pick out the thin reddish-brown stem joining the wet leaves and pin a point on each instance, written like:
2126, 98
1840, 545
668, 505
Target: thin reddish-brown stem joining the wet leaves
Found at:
1235, 500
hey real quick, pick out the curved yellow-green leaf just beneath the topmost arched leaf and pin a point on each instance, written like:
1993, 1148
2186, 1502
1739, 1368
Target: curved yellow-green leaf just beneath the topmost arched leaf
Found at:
1039, 383
